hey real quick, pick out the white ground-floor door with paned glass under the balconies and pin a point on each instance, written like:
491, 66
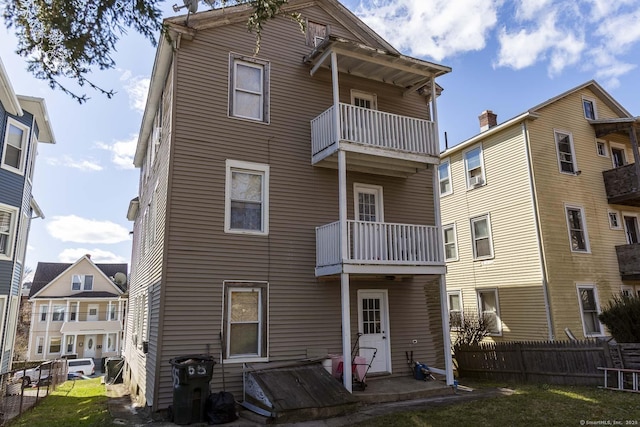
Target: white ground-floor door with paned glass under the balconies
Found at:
373, 324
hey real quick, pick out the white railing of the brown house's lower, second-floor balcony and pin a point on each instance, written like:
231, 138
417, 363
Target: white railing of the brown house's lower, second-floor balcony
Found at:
380, 243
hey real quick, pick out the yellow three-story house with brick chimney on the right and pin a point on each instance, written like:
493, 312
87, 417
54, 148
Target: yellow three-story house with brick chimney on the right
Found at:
547, 234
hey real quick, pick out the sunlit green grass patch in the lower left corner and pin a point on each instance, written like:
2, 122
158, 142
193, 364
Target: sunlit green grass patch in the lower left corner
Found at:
74, 403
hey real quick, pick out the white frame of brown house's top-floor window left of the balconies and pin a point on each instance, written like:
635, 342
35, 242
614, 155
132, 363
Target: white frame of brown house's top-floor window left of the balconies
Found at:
264, 67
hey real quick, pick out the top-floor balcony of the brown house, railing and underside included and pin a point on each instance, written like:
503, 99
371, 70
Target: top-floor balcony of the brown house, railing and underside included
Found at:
375, 141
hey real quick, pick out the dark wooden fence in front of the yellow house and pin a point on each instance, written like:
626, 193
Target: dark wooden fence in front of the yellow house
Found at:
551, 362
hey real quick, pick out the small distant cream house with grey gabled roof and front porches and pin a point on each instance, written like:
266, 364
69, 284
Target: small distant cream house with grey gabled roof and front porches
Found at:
77, 310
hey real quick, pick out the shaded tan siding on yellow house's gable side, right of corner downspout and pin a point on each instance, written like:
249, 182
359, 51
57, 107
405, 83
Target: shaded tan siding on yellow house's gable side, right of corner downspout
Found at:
554, 190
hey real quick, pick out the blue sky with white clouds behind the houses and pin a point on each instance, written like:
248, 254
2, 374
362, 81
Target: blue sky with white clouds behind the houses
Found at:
507, 56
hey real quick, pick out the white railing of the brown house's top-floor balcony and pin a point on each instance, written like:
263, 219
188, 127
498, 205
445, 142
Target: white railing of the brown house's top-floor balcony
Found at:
374, 128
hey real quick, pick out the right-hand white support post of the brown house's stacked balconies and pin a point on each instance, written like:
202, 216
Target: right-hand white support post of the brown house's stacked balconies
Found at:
444, 306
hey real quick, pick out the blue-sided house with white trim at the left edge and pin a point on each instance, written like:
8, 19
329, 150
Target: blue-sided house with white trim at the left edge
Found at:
24, 123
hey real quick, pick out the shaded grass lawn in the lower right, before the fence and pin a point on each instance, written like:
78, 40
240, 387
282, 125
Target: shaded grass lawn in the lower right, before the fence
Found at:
530, 405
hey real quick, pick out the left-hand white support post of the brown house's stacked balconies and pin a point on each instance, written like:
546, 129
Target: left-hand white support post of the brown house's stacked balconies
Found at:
342, 203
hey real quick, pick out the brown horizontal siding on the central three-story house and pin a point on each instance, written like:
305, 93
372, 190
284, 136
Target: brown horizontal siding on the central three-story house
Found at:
304, 312
